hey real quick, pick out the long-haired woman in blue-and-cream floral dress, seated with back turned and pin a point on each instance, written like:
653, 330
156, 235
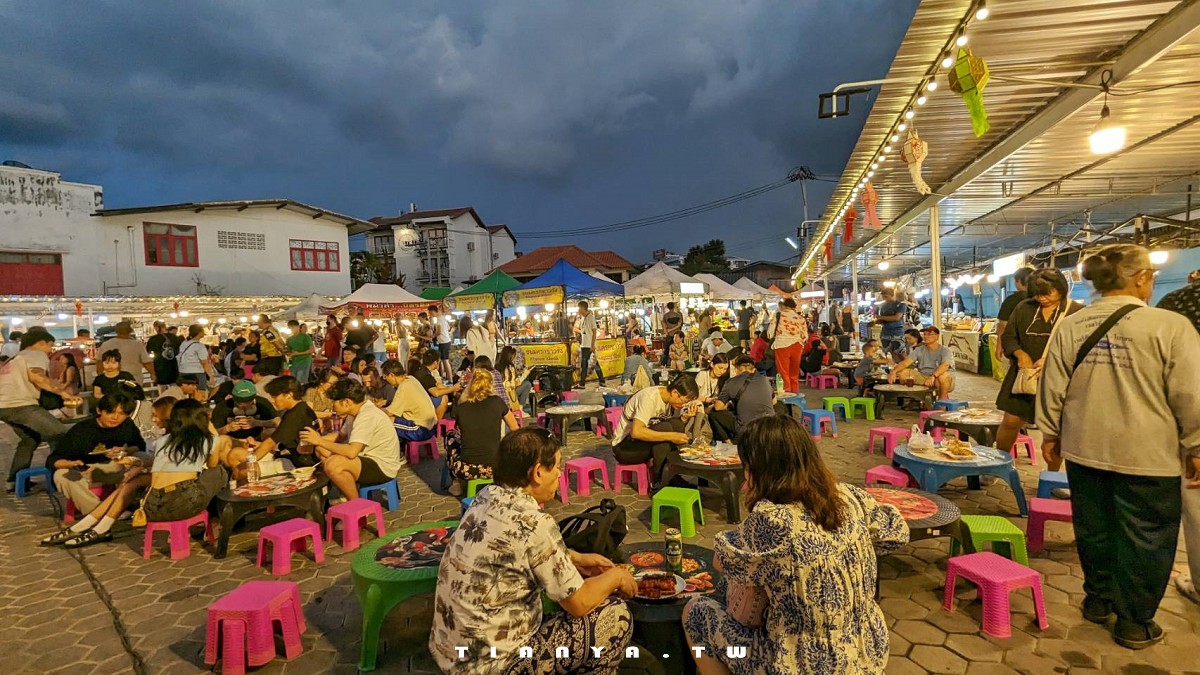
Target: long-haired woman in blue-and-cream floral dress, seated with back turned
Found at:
811, 545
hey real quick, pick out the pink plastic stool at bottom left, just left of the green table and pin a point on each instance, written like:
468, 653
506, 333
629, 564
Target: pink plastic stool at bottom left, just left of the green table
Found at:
243, 625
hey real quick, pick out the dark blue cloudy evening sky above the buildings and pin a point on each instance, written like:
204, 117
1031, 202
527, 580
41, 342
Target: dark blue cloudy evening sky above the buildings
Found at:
542, 115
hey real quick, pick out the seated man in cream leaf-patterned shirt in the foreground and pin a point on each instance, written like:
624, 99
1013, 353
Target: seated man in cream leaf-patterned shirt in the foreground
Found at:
502, 558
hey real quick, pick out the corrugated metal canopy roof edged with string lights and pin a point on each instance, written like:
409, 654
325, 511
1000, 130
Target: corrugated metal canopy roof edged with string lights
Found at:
1033, 178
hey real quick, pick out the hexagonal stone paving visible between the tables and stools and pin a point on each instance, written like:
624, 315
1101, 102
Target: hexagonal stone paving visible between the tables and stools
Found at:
106, 611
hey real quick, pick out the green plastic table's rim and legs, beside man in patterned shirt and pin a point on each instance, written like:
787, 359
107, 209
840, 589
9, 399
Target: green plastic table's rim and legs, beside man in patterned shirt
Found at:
381, 589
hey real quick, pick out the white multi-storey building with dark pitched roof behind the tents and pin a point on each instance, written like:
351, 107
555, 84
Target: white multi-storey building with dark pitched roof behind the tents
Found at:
441, 248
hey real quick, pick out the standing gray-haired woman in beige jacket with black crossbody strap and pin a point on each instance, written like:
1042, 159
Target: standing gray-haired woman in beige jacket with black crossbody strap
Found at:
1120, 396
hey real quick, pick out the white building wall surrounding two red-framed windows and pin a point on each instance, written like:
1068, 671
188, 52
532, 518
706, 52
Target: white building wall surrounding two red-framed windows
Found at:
231, 272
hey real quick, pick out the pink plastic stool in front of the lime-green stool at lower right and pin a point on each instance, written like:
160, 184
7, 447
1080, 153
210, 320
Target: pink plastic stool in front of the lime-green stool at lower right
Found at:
997, 577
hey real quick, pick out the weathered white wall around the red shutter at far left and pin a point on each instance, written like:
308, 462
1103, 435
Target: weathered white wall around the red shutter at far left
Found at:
40, 212
